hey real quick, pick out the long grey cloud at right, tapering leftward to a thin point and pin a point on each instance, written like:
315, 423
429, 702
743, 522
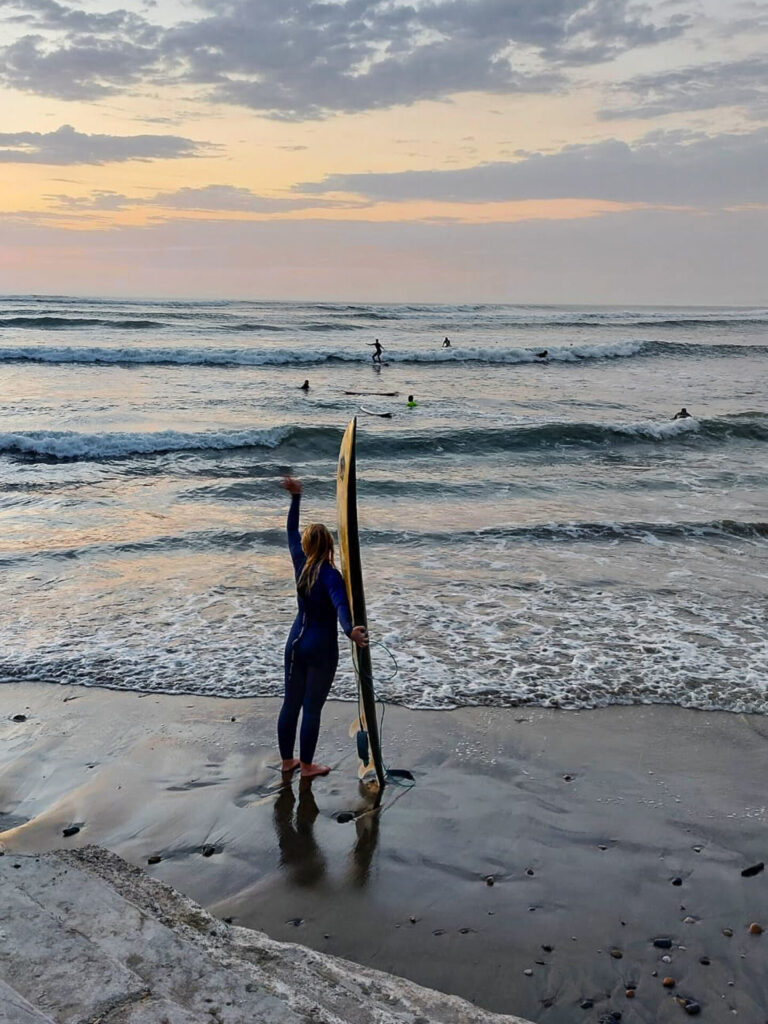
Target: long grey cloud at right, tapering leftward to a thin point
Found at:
664, 168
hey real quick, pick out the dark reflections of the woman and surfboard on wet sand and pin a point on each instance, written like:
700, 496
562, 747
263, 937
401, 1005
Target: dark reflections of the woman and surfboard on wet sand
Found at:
301, 855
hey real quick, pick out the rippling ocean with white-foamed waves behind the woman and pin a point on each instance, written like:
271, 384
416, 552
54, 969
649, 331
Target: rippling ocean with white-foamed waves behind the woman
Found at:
536, 532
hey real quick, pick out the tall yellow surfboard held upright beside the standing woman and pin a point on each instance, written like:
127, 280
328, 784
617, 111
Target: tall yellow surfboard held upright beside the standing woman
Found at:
352, 570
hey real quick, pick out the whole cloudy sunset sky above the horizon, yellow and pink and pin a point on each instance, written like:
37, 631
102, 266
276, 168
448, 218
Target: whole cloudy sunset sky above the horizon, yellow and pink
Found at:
405, 151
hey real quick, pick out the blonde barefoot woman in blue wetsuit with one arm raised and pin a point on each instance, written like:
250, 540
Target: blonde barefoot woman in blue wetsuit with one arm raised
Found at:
313, 649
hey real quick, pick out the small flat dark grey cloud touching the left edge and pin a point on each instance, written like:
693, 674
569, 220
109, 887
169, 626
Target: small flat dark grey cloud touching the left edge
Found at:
67, 147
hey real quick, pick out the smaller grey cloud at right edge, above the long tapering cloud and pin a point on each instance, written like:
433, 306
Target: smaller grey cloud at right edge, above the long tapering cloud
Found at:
737, 83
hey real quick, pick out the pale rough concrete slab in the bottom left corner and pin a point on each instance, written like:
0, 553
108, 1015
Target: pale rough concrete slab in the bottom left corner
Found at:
89, 938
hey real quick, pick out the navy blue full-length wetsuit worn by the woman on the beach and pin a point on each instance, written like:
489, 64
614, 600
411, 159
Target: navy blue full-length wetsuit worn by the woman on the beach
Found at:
313, 649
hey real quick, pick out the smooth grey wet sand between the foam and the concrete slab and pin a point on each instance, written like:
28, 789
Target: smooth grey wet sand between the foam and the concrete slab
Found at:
582, 820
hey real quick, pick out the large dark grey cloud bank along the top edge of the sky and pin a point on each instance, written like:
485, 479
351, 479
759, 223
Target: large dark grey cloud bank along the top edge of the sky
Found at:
300, 60
